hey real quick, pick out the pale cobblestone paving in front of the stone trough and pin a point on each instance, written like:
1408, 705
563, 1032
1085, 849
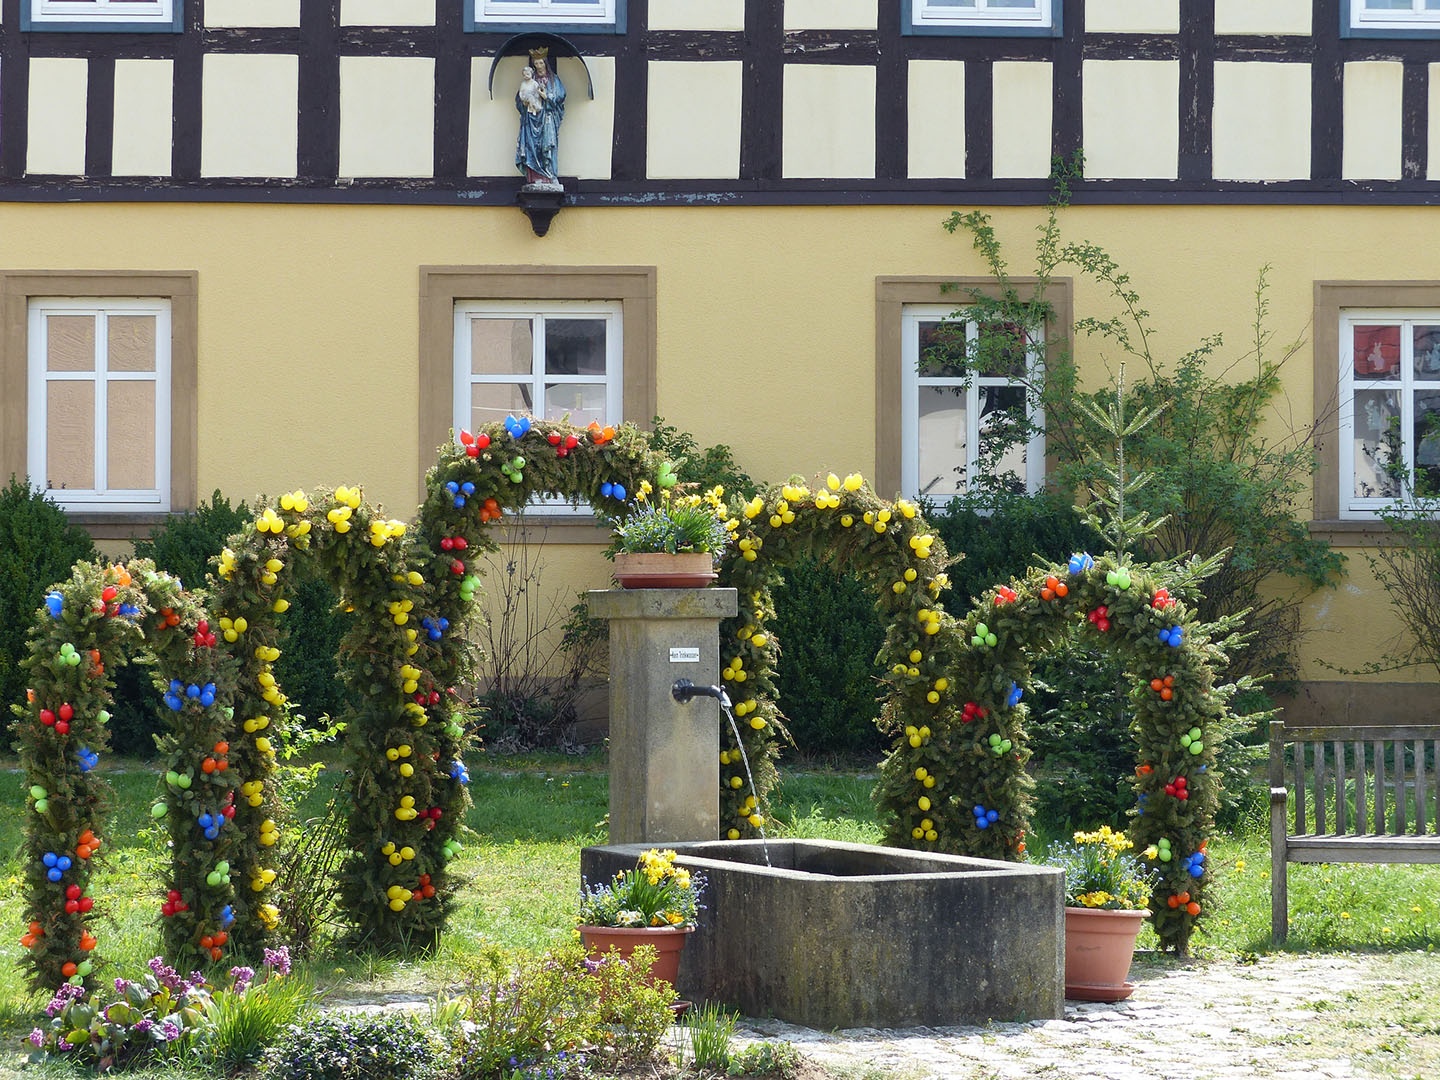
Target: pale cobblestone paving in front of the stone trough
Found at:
1281, 1017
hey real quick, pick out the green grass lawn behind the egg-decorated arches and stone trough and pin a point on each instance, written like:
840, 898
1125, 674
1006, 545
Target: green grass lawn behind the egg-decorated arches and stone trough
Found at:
521, 868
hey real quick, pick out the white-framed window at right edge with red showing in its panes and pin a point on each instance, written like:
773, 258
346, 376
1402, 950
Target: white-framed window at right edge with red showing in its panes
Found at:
1389, 408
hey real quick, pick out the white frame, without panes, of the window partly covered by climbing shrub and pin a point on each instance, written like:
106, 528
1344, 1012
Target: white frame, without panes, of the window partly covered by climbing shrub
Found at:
912, 382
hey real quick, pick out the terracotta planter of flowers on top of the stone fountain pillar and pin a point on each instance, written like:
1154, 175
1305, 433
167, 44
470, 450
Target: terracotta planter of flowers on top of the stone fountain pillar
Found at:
672, 542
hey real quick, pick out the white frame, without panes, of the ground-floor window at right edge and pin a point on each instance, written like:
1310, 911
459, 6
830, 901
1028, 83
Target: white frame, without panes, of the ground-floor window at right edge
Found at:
1360, 508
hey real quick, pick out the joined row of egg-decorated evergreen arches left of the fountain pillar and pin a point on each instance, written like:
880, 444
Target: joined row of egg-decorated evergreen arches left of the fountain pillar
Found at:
410, 591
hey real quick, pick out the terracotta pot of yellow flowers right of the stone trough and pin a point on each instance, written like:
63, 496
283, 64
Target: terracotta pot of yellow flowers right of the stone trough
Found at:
1108, 895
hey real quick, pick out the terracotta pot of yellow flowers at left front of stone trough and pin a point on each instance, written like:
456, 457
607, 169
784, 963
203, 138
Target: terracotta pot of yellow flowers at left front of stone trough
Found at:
657, 904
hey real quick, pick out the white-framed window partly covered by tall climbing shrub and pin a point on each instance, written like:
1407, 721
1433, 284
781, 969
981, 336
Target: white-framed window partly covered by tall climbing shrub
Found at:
957, 421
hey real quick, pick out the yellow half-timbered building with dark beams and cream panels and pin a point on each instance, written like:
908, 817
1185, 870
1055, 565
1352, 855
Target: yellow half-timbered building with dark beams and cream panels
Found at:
260, 244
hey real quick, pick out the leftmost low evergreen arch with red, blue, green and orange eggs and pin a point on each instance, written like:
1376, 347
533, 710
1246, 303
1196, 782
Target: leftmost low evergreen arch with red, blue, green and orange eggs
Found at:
97, 620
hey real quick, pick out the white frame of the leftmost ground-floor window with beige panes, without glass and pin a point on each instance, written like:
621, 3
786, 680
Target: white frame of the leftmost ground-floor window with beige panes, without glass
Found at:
102, 498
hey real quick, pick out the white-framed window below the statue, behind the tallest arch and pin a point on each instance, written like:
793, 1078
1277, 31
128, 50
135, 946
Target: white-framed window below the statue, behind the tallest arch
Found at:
548, 359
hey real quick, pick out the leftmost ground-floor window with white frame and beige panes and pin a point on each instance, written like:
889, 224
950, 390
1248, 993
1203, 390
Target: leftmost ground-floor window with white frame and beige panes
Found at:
99, 385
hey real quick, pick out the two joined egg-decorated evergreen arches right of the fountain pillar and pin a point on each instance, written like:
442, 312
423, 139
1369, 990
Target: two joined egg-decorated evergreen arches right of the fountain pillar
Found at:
955, 777
